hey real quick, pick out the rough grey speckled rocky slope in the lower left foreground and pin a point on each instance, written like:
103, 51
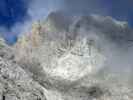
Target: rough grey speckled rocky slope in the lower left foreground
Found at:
16, 83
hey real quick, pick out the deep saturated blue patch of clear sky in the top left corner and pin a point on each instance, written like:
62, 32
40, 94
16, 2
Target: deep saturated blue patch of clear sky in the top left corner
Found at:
12, 11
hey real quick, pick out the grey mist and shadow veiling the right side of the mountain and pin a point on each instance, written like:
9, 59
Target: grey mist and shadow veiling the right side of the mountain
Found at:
115, 40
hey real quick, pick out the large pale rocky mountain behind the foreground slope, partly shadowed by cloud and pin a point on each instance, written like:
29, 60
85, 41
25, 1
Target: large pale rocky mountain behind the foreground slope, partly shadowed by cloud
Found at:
78, 59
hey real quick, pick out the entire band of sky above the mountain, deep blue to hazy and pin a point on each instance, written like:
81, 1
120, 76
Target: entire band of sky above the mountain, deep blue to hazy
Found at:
16, 11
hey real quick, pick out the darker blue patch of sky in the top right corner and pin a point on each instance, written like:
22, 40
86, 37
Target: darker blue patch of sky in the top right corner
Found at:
120, 9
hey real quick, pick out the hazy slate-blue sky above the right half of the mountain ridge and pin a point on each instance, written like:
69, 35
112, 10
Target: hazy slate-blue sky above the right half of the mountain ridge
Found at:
119, 9
